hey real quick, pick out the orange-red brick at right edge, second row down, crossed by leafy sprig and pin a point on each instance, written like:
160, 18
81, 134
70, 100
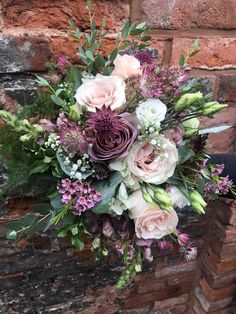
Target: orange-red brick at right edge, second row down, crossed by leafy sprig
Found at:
215, 53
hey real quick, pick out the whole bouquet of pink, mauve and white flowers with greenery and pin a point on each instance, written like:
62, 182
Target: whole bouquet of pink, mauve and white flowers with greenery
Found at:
117, 140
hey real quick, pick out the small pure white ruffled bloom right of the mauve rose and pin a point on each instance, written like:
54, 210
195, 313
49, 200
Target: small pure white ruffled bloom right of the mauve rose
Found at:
151, 112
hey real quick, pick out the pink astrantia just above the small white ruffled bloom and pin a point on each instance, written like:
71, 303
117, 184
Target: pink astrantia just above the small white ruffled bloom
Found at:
149, 82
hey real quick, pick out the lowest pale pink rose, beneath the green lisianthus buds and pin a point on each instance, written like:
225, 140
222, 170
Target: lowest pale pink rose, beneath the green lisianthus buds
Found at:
150, 221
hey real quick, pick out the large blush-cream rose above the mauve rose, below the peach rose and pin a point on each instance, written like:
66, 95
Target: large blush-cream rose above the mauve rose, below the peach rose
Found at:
100, 91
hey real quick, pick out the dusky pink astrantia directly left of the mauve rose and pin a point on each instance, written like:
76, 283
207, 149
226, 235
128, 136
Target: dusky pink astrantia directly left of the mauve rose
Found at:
71, 137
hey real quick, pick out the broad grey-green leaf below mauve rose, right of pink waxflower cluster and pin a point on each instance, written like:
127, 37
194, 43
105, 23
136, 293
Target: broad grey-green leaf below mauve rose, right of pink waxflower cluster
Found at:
107, 189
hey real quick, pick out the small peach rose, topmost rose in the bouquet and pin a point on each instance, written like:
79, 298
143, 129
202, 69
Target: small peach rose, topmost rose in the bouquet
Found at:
126, 66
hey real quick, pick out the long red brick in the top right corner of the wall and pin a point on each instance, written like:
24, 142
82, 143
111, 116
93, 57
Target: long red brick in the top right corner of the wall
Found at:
169, 14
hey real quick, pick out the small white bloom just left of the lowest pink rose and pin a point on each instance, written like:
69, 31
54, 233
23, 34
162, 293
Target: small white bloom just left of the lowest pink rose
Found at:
122, 201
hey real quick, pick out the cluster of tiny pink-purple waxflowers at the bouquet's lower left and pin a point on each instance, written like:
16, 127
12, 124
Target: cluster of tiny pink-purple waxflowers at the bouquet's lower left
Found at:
82, 195
